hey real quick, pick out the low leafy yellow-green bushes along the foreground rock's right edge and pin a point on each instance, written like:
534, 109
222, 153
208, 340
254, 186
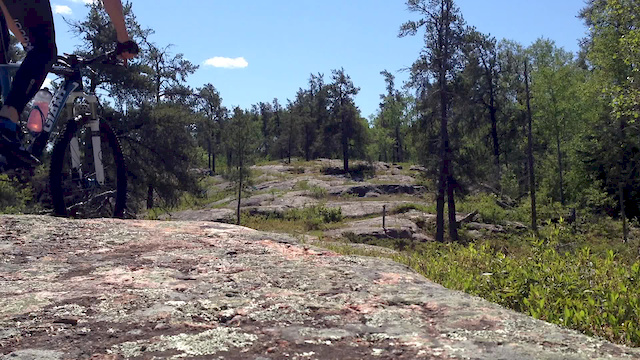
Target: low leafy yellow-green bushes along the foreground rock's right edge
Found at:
593, 293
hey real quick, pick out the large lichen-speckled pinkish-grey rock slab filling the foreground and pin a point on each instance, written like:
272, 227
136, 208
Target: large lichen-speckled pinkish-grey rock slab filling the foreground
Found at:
112, 289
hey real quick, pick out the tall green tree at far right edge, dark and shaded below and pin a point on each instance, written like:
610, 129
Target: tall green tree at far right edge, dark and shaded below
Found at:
610, 52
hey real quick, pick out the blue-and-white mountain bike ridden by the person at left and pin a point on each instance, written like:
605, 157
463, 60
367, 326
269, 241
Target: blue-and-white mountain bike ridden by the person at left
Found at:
87, 177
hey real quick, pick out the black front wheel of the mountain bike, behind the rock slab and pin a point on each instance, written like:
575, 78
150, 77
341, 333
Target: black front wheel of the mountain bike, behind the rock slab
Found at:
77, 193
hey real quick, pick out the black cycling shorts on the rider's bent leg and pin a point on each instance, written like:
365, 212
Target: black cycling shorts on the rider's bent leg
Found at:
34, 20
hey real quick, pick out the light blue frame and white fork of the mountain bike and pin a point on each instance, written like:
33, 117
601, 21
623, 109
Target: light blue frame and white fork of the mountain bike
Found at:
63, 104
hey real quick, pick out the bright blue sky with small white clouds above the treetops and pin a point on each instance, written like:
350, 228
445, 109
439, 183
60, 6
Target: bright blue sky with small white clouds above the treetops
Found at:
255, 50
